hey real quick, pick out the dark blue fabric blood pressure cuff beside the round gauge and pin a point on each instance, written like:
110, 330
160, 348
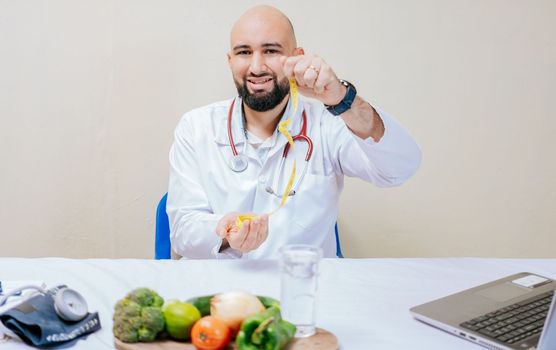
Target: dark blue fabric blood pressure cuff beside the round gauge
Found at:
36, 322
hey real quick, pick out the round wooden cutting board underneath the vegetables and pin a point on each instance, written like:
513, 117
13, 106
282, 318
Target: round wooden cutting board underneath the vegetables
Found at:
322, 340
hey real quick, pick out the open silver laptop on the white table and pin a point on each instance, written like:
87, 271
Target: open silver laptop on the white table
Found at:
515, 312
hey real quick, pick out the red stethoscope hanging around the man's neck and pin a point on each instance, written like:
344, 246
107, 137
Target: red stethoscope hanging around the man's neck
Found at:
238, 162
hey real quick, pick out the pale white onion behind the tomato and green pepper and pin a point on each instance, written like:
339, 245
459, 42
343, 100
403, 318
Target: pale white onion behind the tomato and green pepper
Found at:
234, 307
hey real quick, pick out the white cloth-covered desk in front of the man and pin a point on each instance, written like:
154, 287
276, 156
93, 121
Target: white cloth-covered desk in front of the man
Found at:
365, 302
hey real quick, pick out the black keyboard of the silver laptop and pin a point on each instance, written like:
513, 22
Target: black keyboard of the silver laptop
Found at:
514, 322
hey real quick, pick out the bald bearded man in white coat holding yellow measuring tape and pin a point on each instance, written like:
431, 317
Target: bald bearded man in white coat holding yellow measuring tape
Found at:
227, 160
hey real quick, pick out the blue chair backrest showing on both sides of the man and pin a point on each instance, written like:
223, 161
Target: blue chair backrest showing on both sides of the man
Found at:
162, 249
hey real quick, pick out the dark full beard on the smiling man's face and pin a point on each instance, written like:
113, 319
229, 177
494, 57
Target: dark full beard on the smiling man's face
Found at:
263, 101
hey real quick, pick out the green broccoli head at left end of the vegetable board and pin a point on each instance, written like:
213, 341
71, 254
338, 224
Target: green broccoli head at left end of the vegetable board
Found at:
138, 317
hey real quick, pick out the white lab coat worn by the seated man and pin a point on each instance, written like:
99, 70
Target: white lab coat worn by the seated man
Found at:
203, 188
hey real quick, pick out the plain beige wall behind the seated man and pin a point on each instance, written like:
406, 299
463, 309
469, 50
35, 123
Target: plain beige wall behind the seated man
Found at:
90, 92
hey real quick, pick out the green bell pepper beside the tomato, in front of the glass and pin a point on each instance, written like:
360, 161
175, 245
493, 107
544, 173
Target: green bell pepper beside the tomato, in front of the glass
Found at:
265, 331
